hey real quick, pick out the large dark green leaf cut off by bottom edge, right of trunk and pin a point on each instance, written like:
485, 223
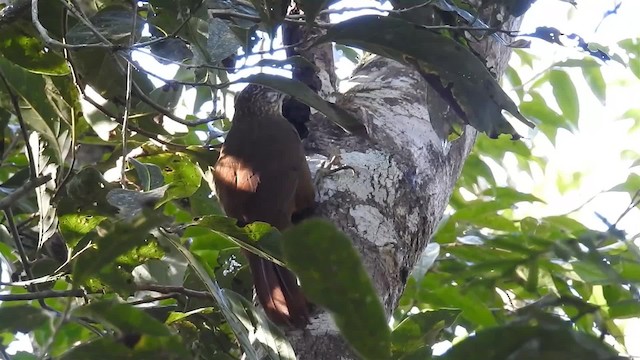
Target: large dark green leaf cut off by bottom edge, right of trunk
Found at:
530, 342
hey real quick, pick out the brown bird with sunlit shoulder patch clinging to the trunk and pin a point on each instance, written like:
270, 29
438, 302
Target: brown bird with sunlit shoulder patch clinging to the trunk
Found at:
262, 175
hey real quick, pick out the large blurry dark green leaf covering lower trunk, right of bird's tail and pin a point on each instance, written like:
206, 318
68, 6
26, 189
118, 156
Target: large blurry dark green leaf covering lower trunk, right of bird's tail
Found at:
333, 277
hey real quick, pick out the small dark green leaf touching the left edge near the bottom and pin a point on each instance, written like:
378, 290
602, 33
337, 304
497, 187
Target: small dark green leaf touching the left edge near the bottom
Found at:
22, 318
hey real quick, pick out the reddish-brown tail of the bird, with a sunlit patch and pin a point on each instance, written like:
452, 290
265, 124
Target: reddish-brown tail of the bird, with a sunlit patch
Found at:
278, 293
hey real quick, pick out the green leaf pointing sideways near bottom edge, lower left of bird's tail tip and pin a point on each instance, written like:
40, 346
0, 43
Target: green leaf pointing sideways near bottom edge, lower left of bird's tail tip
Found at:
123, 317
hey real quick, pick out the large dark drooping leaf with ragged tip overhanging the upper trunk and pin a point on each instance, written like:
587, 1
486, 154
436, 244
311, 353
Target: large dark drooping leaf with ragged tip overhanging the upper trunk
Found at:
457, 70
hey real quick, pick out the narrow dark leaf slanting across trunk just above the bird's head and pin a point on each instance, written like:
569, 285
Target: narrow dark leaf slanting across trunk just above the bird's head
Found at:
307, 96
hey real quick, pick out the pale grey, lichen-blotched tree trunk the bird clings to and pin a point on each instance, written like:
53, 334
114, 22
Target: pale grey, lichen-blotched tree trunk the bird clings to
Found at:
404, 175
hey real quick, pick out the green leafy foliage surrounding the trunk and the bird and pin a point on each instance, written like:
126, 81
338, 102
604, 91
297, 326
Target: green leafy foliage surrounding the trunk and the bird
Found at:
150, 267
